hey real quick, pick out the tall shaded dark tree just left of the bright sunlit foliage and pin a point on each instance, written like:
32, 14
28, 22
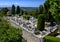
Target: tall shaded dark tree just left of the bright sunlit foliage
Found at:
47, 11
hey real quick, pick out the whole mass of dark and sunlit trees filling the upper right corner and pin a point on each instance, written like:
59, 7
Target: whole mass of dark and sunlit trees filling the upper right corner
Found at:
52, 8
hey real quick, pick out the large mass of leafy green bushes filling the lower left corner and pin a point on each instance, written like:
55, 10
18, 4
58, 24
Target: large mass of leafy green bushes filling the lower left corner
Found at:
9, 33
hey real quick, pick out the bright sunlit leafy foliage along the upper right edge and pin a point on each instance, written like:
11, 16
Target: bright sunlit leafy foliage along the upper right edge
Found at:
54, 9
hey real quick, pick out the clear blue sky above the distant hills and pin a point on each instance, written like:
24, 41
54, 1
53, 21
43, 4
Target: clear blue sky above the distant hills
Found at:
21, 3
